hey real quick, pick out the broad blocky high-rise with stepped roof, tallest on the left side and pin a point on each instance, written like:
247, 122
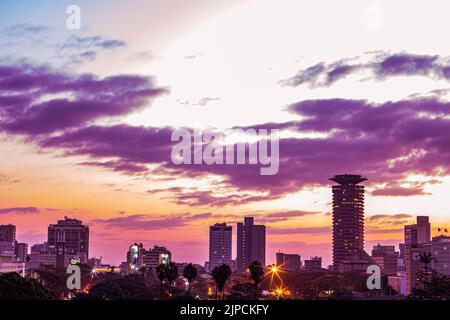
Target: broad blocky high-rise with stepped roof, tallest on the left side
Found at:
68, 239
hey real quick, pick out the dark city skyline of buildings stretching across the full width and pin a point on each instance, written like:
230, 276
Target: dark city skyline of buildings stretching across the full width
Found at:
403, 270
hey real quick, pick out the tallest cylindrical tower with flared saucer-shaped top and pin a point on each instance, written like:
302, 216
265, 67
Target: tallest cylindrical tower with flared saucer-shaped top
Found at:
348, 218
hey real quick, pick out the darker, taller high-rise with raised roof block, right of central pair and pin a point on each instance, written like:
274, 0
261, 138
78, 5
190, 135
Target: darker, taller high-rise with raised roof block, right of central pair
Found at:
251, 244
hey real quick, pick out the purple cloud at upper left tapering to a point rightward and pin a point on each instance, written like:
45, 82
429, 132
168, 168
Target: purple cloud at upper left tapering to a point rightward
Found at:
23, 87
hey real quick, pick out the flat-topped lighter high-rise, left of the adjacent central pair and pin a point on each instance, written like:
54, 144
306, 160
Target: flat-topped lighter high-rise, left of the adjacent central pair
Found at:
219, 245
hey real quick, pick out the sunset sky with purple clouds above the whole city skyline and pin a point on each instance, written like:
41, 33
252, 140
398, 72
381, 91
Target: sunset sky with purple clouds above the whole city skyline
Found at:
86, 118
